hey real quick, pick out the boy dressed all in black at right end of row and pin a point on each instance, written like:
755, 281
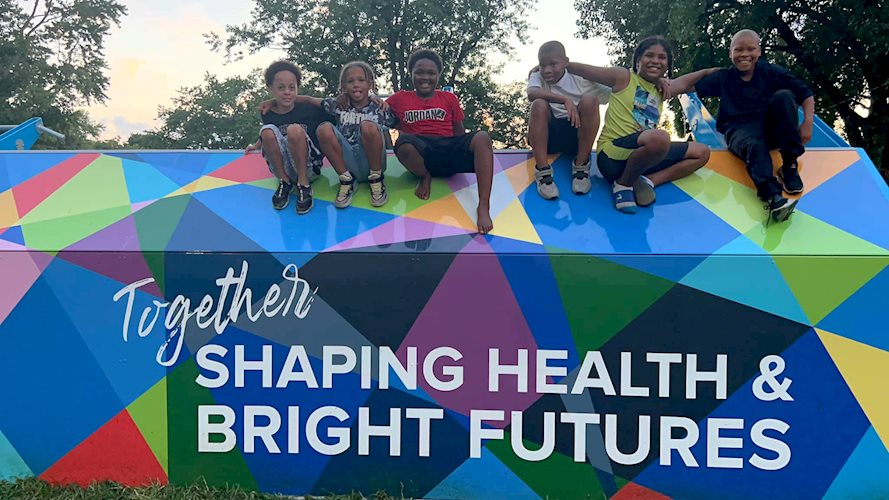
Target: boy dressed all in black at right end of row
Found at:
758, 112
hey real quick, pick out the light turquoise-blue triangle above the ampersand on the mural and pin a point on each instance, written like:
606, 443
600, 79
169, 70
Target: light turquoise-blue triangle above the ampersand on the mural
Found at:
752, 280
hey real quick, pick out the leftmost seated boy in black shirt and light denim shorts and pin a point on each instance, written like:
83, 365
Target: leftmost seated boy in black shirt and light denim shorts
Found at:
287, 137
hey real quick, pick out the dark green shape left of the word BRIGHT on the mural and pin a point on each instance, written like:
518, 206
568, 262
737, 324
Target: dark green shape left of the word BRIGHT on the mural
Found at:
186, 465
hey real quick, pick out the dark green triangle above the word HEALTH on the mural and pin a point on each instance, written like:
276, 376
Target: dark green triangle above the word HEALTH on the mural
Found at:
601, 297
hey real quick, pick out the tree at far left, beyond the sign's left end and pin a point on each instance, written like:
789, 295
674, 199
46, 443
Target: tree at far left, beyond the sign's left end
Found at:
52, 63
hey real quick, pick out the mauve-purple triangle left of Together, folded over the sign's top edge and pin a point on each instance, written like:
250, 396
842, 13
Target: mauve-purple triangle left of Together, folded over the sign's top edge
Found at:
113, 252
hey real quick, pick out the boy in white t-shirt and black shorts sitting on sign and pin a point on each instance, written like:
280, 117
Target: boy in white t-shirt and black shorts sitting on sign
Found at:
564, 118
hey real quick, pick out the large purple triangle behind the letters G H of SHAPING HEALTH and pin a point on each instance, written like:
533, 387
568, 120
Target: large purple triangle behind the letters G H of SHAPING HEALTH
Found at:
473, 310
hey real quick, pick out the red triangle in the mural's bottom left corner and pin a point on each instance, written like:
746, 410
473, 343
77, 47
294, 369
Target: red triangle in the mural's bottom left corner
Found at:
115, 452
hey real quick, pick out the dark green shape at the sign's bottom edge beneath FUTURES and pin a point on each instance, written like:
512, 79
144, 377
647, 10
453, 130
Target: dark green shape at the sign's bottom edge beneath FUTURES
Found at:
557, 476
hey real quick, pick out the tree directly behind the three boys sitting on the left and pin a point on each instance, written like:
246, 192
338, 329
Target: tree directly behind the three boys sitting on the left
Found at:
322, 35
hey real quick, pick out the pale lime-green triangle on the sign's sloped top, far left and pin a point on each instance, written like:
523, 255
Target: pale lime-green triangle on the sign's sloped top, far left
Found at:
98, 187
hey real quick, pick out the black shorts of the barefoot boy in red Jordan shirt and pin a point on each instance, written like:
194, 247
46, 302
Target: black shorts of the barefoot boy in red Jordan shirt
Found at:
443, 156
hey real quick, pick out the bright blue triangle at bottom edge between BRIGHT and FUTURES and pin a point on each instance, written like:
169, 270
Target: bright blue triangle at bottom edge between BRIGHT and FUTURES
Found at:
485, 477
